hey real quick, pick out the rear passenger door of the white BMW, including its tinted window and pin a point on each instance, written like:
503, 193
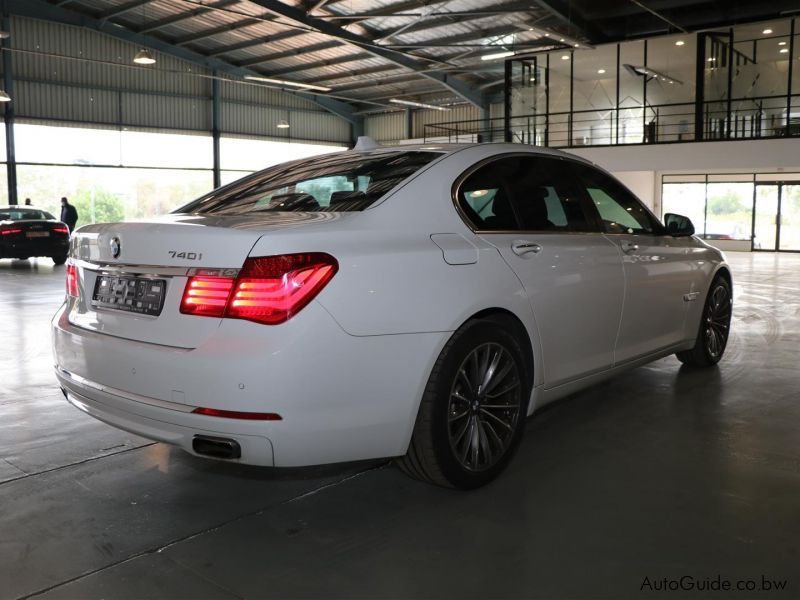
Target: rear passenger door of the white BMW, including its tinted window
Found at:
527, 207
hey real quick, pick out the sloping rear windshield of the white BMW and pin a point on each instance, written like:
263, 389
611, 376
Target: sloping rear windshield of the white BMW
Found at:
333, 183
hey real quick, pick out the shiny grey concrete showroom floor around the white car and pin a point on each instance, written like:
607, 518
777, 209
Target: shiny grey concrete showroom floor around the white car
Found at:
660, 473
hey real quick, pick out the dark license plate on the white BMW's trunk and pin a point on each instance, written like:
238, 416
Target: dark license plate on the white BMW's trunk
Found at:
140, 295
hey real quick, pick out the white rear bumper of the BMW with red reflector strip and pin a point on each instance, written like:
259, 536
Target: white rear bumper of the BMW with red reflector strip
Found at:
341, 397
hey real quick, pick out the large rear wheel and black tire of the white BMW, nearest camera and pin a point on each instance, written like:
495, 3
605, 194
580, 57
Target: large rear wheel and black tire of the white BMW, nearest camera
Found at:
492, 418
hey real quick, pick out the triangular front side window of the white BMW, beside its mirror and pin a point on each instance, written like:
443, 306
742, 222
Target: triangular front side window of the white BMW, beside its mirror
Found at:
619, 210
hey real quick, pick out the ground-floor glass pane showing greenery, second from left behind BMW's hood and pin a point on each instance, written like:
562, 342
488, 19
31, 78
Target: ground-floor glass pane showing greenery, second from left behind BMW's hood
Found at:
729, 211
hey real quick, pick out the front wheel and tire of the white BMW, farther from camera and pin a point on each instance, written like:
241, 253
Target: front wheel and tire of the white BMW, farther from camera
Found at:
712, 335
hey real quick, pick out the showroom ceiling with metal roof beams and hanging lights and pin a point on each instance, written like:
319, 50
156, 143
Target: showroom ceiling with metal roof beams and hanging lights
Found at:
366, 53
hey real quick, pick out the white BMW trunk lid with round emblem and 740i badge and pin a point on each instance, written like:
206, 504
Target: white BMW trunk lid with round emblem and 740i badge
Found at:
163, 252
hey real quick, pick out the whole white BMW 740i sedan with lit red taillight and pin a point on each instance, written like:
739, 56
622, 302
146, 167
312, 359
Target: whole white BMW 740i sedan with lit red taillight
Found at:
416, 302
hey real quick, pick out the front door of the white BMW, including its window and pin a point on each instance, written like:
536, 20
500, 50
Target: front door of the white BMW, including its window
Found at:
658, 273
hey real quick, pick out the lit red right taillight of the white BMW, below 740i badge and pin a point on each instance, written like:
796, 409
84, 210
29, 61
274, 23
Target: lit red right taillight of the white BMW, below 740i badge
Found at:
268, 289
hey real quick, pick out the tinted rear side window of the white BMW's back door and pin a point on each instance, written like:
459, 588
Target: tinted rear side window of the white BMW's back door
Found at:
526, 193
